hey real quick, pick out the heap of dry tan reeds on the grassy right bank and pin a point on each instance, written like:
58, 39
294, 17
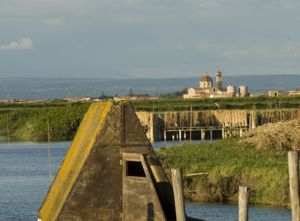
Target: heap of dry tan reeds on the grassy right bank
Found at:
278, 136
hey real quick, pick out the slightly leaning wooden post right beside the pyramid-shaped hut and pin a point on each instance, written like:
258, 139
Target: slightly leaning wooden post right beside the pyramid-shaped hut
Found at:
178, 194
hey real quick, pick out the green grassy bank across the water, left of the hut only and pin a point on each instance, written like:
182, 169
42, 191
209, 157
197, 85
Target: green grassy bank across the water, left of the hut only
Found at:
30, 121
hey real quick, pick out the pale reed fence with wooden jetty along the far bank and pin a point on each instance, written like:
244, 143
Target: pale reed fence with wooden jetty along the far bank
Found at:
209, 124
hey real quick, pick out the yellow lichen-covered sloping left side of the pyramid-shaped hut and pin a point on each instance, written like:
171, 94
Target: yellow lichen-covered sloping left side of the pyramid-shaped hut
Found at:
73, 162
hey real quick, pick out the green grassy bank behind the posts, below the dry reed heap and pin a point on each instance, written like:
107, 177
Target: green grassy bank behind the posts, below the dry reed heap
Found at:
230, 164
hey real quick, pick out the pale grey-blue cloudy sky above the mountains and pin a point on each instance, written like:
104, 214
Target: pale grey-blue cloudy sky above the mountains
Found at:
148, 38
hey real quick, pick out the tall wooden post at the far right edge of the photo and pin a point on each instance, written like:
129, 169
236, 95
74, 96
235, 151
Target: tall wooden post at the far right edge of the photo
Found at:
293, 159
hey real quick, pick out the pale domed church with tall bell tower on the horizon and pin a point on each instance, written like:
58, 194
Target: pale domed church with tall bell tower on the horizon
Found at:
207, 90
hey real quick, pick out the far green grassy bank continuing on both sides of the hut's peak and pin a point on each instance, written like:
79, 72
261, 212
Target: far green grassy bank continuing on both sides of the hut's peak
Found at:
28, 121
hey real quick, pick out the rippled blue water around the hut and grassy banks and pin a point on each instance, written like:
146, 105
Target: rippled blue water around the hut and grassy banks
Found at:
24, 181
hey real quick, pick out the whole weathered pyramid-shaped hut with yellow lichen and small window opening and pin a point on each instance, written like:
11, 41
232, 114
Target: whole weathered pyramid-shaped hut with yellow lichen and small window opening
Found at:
110, 172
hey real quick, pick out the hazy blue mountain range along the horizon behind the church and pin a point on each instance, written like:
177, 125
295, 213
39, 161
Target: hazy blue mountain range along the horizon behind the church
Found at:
51, 88
